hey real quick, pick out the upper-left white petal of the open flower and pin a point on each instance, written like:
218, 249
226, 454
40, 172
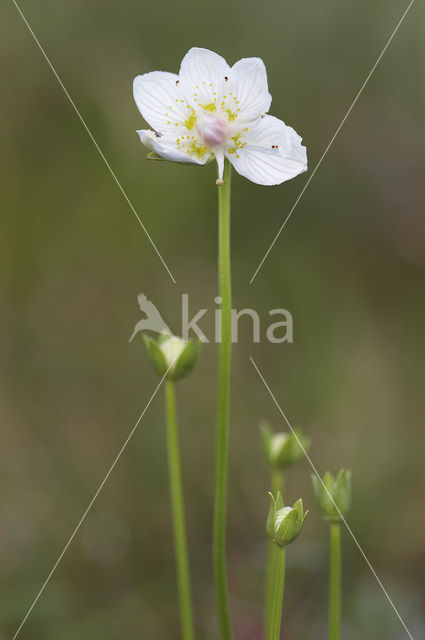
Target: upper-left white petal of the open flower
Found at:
159, 100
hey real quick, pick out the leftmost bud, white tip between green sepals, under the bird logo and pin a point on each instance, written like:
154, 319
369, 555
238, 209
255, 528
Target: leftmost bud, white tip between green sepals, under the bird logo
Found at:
172, 354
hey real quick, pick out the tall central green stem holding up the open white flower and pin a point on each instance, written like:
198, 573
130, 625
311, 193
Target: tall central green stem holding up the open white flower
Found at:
222, 444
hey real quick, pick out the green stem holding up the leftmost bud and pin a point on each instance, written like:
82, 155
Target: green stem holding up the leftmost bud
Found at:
177, 505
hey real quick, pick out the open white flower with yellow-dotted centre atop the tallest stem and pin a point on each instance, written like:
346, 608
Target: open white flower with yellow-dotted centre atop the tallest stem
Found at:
213, 110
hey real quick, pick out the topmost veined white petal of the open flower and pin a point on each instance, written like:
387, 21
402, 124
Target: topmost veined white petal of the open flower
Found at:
203, 72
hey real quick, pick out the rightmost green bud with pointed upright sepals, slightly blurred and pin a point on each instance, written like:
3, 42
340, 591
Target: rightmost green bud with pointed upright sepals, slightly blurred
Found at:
333, 495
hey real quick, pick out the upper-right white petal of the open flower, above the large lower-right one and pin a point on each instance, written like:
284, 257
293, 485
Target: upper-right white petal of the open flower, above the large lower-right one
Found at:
249, 88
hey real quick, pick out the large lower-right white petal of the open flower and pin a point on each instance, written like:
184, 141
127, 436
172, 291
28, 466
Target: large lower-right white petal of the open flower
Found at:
268, 153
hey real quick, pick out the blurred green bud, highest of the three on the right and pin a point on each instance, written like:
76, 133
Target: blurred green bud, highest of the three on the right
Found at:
283, 449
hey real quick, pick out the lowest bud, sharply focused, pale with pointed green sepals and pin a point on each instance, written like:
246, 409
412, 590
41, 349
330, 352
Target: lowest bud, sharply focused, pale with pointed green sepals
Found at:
284, 524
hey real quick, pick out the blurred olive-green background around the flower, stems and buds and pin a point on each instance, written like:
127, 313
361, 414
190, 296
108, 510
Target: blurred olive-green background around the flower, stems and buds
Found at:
349, 266
